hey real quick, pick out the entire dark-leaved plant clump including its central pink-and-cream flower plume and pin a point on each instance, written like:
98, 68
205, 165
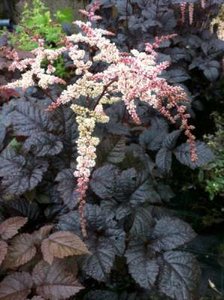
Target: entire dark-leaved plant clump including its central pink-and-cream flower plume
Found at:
87, 159
